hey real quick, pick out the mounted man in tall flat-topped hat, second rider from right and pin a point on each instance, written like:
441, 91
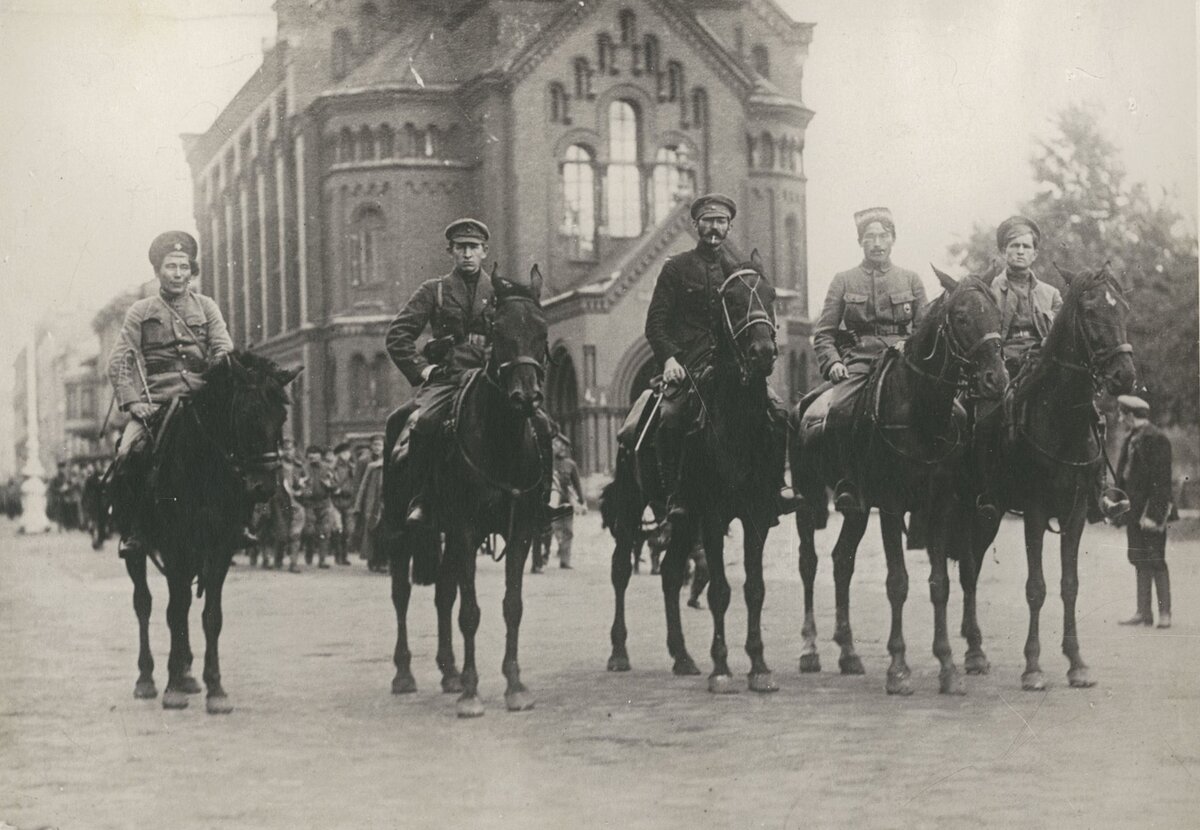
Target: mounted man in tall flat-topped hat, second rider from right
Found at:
868, 309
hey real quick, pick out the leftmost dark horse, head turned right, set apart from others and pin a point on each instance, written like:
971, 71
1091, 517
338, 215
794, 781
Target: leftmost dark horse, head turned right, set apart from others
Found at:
217, 456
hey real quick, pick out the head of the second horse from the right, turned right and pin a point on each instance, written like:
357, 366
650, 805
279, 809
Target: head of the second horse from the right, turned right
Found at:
969, 323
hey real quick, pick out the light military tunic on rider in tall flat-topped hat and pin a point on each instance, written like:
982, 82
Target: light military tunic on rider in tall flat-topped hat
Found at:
872, 309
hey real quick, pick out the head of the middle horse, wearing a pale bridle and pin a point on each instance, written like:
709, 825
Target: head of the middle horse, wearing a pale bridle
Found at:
748, 318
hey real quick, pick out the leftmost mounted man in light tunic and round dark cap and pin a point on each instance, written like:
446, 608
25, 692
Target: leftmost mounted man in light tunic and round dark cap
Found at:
166, 345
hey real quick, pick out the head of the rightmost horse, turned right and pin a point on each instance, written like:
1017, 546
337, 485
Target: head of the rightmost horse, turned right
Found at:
1090, 330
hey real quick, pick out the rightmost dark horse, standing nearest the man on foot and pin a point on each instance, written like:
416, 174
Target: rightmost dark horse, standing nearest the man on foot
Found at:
1048, 453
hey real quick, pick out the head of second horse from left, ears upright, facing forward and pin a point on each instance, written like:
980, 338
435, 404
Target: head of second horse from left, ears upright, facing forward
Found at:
519, 341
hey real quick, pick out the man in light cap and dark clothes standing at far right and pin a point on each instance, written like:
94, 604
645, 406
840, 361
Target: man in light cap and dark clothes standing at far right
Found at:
1145, 474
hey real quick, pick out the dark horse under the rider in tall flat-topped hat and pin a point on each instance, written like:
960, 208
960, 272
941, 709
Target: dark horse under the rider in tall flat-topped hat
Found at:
902, 435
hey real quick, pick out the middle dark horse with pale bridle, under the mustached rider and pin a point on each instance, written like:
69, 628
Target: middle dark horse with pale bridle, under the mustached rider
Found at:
731, 472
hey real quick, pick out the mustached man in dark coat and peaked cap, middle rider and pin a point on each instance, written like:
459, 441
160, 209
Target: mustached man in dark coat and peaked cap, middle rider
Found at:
680, 329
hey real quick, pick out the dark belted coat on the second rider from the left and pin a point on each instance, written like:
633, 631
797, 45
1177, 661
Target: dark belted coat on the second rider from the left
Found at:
463, 317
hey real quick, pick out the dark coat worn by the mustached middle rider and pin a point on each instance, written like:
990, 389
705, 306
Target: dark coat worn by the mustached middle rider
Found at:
686, 305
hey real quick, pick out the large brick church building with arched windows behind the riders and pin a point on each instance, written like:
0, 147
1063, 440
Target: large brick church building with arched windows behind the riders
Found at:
579, 130
